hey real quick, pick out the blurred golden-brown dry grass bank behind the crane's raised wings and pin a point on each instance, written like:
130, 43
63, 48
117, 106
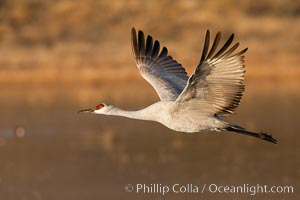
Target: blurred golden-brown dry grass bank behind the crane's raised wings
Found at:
87, 42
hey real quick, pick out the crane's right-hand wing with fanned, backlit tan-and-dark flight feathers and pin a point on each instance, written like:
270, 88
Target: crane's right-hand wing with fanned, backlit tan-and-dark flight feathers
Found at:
218, 80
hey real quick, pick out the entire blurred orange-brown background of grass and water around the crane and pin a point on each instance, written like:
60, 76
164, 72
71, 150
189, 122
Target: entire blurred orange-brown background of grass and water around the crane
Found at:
60, 56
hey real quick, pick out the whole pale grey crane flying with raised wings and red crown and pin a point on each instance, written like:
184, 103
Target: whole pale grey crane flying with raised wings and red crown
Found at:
189, 104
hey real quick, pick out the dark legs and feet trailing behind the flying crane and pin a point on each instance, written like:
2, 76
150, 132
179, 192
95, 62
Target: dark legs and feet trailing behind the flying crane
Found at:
261, 135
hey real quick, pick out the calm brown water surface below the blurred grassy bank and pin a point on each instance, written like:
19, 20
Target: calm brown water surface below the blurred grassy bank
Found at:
63, 155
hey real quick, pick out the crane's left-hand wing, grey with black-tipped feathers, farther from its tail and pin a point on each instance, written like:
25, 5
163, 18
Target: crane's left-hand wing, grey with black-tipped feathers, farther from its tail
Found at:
165, 74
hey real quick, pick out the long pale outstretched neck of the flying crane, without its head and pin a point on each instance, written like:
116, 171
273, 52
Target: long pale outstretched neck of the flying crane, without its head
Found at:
148, 113
